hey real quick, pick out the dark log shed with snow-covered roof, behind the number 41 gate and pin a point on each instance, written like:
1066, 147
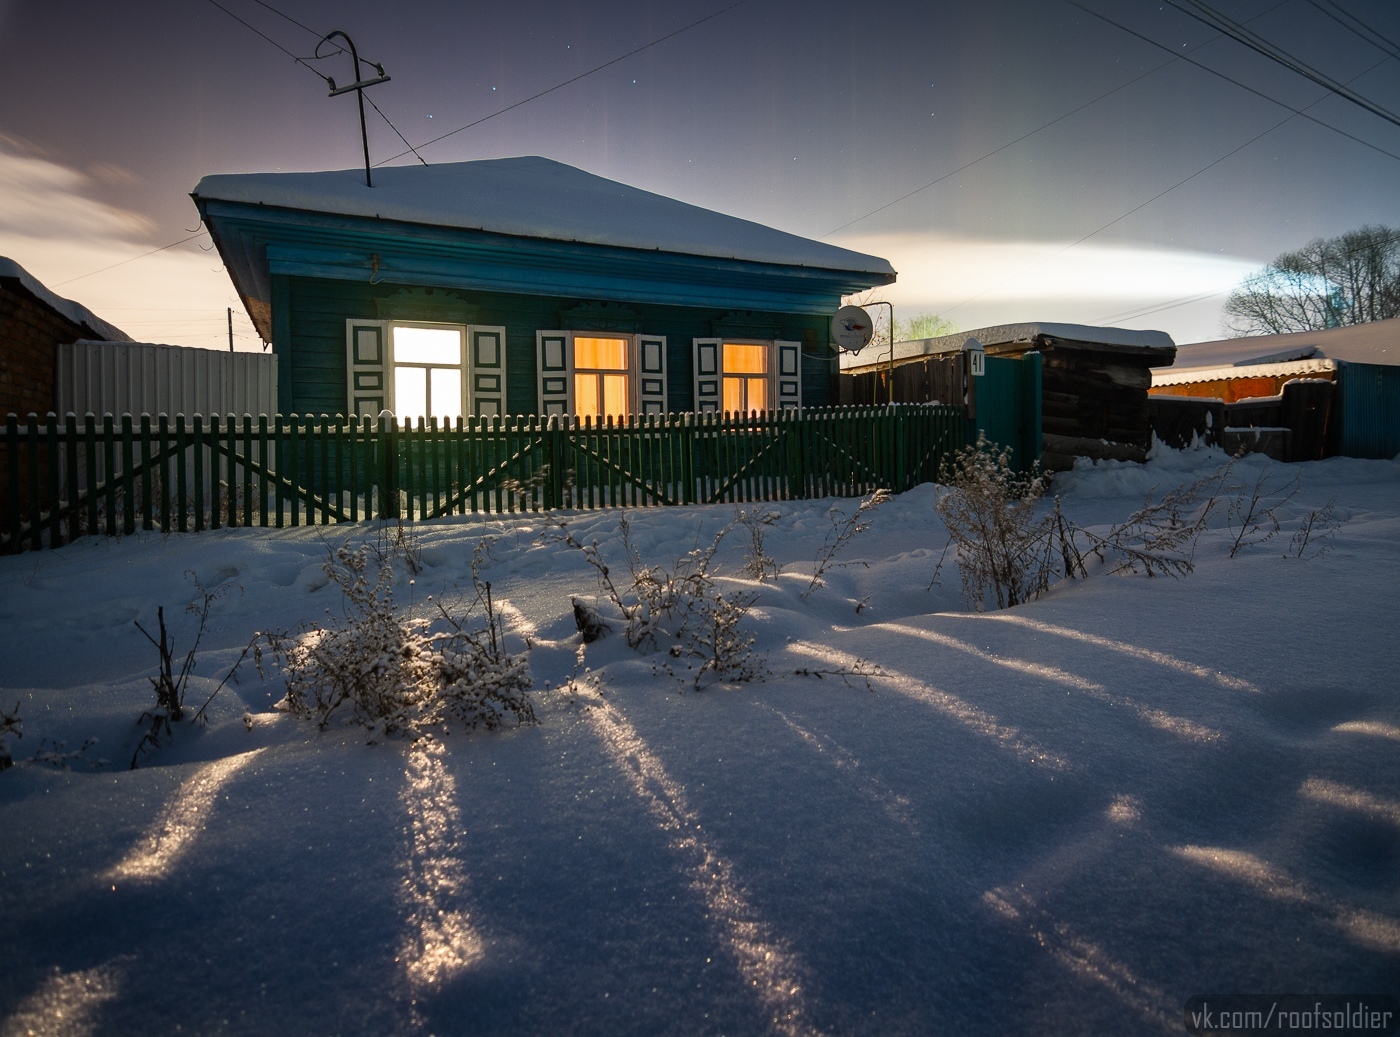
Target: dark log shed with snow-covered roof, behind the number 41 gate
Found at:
1094, 383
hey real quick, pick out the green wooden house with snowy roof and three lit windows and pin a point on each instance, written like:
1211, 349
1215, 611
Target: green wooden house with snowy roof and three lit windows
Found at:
524, 286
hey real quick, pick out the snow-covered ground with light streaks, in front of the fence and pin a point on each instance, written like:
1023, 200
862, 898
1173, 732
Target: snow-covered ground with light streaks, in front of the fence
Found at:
1066, 818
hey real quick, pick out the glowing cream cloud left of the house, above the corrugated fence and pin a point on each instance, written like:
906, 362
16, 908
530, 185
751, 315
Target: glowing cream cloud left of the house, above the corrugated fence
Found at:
55, 229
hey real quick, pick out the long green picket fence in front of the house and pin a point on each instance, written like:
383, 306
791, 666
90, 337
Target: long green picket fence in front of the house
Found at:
110, 477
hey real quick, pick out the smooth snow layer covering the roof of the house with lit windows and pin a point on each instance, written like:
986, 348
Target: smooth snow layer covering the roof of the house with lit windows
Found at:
535, 198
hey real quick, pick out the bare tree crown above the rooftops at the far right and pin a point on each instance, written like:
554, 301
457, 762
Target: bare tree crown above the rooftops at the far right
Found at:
1352, 279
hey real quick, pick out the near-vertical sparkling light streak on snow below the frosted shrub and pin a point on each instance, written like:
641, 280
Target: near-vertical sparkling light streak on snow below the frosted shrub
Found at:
442, 941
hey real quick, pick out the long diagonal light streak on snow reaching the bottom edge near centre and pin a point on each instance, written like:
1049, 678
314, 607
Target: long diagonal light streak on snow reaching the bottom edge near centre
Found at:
765, 964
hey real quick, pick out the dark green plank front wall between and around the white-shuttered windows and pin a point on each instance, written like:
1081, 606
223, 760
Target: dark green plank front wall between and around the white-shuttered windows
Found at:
310, 338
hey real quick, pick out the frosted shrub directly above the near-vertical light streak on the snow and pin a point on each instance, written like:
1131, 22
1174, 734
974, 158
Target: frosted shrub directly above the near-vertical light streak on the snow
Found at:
397, 675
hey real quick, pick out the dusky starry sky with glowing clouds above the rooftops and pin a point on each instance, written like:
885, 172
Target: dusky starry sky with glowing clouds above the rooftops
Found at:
825, 118
